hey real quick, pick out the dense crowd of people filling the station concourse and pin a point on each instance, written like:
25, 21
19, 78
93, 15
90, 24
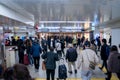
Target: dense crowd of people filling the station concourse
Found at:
46, 47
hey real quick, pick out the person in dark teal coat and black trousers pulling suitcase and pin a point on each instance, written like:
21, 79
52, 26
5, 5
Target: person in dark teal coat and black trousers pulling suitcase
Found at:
50, 59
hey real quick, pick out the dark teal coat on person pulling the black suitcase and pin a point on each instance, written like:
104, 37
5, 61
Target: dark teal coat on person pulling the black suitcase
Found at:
50, 60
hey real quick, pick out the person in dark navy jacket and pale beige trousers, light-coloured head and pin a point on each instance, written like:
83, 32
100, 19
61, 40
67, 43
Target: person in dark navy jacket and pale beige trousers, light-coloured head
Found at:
71, 57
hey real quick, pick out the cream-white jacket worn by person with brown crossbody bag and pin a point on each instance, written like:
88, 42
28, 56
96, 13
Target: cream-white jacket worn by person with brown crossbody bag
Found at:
83, 60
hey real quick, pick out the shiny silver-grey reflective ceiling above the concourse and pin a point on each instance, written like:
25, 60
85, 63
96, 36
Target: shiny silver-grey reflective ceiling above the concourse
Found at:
64, 10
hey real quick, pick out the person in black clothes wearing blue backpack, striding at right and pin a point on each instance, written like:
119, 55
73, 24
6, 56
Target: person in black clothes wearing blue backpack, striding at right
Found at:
104, 54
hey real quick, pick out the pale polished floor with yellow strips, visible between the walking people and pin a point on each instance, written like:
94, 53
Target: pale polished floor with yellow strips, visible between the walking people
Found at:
41, 75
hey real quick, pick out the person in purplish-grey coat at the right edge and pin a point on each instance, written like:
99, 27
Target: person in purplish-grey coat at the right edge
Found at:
114, 62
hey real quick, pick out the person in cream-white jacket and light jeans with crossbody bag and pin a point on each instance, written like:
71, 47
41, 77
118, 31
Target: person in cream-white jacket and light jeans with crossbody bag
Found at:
86, 56
